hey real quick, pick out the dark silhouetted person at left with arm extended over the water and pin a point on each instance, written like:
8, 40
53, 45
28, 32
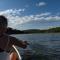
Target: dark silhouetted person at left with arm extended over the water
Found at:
7, 41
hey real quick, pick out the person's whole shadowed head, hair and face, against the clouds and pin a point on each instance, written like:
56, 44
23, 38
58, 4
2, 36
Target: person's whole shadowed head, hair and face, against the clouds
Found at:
3, 24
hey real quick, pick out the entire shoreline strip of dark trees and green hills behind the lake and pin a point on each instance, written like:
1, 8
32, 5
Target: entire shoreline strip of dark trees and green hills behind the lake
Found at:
51, 30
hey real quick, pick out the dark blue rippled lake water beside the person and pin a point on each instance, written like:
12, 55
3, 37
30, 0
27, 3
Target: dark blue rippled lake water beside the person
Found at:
43, 46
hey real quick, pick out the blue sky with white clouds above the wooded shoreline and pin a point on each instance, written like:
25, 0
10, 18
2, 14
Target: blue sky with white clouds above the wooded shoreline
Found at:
31, 14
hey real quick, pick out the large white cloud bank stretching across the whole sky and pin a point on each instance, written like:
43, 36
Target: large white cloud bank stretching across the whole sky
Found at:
15, 18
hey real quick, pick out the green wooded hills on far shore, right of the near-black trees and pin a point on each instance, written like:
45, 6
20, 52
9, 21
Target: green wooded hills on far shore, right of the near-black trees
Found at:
51, 30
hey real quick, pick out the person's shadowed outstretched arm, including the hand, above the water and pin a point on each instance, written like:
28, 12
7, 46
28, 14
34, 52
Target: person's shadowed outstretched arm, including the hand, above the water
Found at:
19, 43
